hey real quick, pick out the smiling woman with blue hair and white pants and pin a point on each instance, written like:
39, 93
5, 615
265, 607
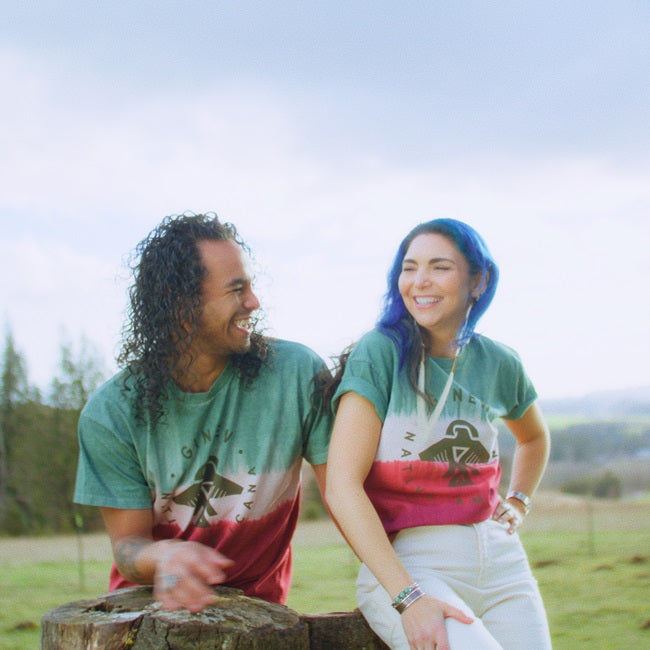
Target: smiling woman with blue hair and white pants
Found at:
413, 468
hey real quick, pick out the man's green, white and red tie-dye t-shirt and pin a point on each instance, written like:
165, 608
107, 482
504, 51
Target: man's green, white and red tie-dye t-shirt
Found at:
221, 468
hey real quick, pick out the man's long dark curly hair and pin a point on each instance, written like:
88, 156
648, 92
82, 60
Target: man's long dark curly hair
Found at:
165, 309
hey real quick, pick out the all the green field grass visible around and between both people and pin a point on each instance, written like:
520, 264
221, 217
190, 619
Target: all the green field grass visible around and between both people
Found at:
594, 601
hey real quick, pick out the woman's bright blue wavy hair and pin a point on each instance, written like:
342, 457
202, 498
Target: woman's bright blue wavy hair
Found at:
394, 319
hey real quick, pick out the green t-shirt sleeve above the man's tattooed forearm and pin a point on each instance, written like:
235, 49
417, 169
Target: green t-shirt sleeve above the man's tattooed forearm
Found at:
108, 472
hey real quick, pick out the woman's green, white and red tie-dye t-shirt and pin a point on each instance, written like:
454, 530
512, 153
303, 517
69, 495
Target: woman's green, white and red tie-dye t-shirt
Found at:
448, 473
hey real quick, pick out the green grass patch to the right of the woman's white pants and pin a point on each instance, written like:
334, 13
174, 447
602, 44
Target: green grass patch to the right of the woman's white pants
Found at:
597, 600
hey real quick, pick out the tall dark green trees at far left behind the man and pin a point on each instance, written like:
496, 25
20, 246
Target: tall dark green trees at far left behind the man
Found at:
38, 443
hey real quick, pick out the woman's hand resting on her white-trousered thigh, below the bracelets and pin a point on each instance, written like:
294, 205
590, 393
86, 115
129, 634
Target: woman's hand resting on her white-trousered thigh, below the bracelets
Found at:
424, 623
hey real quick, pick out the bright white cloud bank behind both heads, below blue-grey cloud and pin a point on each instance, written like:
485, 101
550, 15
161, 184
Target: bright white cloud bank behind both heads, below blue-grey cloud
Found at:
88, 171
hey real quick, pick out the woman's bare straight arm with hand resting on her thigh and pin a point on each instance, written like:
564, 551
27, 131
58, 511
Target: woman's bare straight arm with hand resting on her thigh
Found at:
352, 450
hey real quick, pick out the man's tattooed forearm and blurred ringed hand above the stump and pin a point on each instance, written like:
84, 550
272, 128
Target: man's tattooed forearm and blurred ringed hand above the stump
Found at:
181, 572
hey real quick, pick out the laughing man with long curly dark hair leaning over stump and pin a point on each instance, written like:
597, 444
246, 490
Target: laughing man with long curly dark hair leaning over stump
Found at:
193, 452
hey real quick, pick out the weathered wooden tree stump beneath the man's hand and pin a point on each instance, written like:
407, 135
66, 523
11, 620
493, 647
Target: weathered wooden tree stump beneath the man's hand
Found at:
130, 618
